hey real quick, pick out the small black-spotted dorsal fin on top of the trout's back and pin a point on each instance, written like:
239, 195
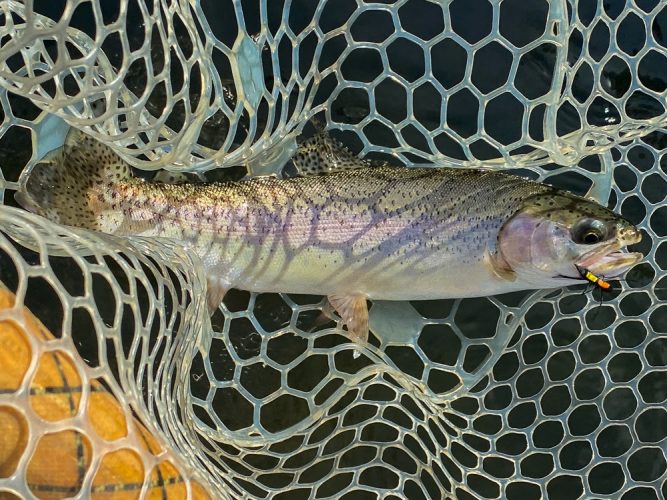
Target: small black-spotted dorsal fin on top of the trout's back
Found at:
322, 154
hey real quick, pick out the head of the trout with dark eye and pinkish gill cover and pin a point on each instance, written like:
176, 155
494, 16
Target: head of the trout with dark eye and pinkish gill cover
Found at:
555, 235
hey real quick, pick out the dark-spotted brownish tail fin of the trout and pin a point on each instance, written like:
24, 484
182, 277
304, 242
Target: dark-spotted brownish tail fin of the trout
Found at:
59, 187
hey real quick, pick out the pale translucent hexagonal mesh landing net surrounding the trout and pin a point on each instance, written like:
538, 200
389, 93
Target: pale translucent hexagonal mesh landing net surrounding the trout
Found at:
557, 394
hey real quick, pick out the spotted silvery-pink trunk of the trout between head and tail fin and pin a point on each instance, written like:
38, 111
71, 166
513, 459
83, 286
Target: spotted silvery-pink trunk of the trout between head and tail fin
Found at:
385, 233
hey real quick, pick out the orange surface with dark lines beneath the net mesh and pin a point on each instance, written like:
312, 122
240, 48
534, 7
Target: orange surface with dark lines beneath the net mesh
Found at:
59, 462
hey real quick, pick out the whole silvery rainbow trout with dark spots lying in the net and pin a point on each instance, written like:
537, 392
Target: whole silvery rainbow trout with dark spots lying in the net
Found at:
350, 233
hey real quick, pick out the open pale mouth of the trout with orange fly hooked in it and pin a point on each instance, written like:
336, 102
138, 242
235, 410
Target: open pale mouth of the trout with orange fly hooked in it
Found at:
612, 259
